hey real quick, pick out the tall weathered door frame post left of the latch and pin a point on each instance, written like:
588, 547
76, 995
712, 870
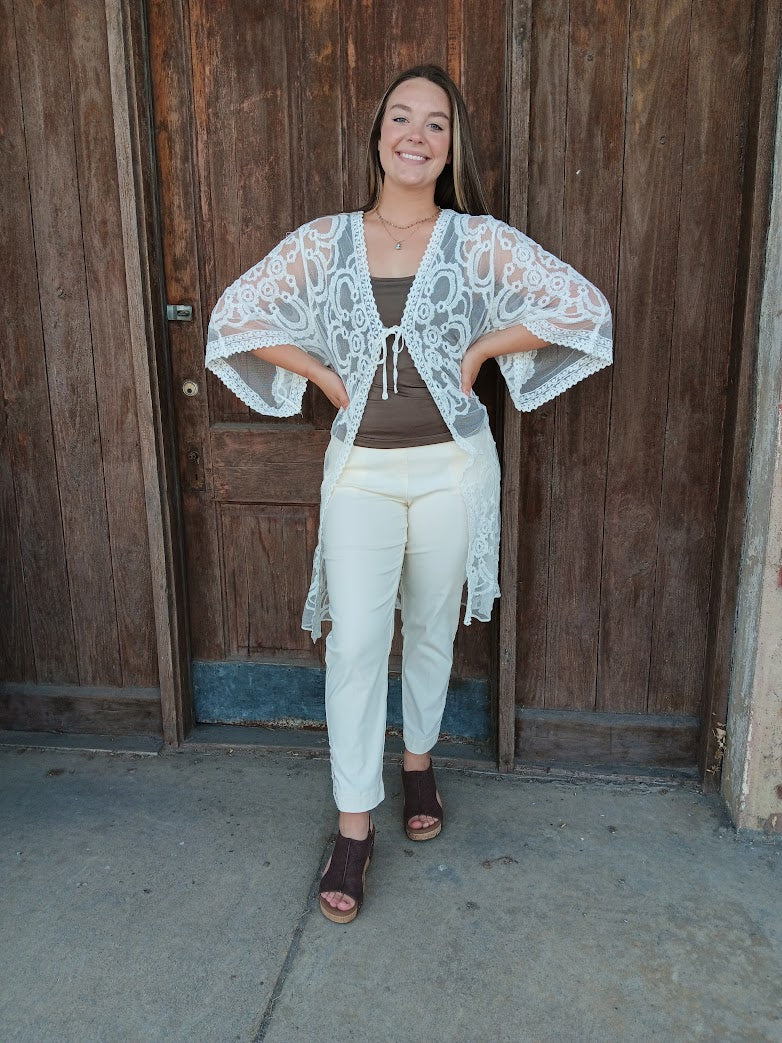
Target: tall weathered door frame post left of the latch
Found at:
137, 179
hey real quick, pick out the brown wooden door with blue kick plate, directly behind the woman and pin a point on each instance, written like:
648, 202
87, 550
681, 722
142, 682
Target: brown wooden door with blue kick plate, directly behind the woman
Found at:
262, 113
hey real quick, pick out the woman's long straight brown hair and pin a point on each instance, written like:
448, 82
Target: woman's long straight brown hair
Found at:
459, 186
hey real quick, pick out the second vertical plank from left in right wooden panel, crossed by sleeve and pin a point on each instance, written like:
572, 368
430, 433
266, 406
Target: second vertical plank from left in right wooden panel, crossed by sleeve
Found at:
596, 131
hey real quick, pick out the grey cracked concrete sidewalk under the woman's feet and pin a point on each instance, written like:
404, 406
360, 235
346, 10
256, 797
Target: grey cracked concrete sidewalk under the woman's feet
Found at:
172, 898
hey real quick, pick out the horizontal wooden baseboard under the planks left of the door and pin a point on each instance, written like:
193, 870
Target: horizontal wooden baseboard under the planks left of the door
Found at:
100, 710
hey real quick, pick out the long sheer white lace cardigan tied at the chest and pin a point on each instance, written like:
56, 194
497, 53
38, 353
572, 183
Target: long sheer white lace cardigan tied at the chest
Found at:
478, 275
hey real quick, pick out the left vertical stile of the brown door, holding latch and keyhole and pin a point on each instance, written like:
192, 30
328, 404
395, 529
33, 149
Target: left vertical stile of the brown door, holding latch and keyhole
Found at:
170, 64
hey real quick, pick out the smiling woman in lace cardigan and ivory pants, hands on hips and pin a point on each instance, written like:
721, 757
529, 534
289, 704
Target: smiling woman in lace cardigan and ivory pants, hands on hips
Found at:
393, 311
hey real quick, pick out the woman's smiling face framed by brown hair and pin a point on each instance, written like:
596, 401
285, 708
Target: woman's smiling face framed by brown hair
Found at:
416, 135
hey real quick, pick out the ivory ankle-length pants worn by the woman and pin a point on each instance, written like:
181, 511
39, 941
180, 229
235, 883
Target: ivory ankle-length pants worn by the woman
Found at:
396, 522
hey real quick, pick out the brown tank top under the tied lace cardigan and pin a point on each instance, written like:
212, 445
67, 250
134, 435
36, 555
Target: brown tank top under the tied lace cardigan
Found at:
410, 417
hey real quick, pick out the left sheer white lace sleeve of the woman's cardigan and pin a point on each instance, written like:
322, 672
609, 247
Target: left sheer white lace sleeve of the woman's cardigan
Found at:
272, 304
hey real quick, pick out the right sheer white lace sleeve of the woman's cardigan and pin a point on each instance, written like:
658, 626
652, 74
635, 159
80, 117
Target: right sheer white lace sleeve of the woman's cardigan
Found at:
536, 290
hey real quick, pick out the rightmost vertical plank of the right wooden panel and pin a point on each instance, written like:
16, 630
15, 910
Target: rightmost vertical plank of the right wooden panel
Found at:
711, 206
